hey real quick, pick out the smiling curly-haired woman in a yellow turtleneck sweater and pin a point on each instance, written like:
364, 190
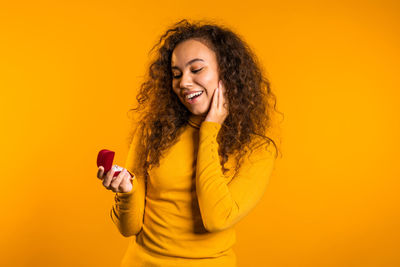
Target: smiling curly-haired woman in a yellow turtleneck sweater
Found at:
200, 157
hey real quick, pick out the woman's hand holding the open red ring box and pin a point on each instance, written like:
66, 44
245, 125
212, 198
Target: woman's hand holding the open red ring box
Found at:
119, 184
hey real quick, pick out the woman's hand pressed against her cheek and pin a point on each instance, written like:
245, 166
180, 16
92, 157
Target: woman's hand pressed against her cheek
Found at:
219, 106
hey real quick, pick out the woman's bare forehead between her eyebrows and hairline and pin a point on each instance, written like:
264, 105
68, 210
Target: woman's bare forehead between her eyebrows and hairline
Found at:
190, 49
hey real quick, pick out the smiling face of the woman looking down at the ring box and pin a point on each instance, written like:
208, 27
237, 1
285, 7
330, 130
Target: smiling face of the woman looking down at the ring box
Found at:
194, 69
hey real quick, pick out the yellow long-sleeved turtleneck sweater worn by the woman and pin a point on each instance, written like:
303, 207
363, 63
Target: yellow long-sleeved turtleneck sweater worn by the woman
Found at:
186, 213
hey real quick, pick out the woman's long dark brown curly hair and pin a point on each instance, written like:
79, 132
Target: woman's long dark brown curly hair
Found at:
248, 92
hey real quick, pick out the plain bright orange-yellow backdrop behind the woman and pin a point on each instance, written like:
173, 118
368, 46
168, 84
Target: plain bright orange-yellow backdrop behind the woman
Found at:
69, 71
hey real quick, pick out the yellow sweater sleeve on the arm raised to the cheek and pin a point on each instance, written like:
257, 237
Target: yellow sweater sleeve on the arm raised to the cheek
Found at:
222, 204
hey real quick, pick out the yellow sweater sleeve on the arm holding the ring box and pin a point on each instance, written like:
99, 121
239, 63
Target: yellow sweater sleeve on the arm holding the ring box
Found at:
128, 209
